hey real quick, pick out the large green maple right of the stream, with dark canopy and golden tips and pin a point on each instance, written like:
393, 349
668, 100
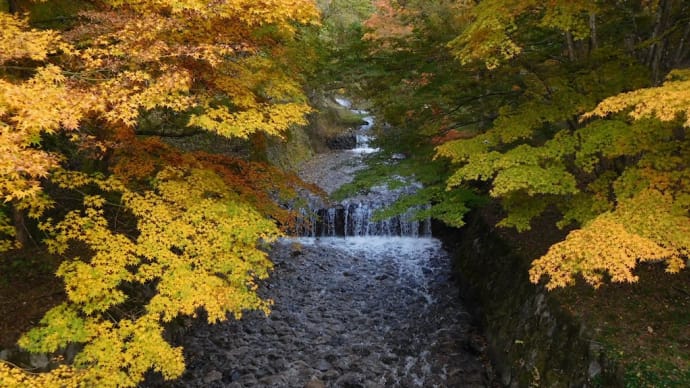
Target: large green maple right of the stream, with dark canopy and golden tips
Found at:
518, 114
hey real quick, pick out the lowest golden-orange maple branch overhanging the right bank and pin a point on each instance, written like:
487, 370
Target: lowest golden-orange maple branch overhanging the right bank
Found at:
643, 228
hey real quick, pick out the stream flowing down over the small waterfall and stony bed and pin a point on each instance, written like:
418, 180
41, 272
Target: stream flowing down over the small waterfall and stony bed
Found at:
358, 303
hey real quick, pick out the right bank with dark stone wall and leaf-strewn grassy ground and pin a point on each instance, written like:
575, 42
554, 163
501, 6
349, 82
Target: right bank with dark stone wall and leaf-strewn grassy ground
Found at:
621, 335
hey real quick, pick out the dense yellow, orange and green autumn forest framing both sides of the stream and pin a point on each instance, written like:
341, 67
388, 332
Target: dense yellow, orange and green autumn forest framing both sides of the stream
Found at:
576, 108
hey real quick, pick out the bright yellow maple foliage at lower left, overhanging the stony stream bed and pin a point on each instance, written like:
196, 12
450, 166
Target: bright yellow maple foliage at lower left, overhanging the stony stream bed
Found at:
197, 245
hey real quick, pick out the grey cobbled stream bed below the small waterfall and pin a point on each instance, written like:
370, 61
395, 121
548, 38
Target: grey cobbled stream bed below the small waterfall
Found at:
332, 330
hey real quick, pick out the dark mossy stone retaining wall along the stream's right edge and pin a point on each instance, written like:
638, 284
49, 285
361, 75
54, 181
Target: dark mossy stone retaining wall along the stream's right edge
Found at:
532, 341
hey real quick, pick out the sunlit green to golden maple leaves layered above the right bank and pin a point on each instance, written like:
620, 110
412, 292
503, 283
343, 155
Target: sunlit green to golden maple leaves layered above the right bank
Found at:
622, 179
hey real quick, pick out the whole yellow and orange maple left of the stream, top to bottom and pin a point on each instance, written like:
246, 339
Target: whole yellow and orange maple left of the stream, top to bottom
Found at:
70, 104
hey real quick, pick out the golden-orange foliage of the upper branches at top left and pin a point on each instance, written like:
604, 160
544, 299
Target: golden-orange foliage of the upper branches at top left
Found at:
140, 56
